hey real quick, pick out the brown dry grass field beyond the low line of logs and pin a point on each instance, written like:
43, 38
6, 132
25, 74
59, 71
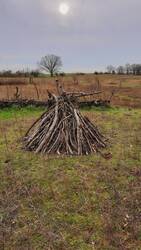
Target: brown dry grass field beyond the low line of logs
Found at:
129, 94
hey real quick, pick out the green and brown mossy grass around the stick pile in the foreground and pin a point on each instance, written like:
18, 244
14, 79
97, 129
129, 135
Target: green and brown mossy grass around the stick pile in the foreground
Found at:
68, 203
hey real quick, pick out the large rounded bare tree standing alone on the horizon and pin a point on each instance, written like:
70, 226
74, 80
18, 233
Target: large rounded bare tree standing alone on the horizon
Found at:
51, 64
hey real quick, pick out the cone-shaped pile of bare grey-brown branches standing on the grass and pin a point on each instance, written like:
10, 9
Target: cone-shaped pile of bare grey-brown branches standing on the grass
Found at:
63, 130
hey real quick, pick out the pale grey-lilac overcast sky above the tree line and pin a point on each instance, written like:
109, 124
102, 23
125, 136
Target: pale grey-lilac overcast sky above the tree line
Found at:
94, 33
